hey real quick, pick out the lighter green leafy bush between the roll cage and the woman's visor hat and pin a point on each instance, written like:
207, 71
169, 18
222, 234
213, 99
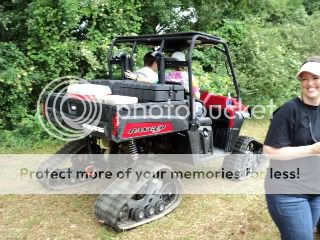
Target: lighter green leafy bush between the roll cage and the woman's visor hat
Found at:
269, 56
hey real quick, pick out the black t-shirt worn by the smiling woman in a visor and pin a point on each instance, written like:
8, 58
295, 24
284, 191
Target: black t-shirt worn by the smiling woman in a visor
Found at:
290, 126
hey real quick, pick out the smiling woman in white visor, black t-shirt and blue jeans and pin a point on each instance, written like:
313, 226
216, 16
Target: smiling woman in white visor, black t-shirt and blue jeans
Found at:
294, 205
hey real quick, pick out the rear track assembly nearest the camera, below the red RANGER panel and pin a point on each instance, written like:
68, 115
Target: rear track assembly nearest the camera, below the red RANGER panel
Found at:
145, 200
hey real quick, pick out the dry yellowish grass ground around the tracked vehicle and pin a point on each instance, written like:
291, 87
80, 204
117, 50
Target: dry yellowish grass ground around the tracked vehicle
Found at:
198, 216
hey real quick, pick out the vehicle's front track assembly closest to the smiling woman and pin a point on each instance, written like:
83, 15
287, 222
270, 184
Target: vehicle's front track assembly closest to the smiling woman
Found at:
245, 158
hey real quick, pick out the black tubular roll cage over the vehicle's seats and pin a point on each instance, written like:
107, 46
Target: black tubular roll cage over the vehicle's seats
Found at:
182, 40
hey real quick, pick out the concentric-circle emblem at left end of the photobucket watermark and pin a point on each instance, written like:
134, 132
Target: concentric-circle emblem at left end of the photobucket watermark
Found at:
63, 119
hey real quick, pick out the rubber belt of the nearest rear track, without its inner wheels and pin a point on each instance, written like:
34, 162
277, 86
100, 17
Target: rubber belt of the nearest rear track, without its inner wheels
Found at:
109, 203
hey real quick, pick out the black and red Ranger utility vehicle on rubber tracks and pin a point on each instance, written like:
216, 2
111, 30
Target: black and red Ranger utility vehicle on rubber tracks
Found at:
198, 136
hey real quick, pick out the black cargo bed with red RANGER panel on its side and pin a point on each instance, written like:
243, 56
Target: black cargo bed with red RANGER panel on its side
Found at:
118, 122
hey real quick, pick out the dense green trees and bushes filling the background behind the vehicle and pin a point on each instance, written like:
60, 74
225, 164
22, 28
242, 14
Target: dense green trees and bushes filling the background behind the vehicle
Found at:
41, 40
